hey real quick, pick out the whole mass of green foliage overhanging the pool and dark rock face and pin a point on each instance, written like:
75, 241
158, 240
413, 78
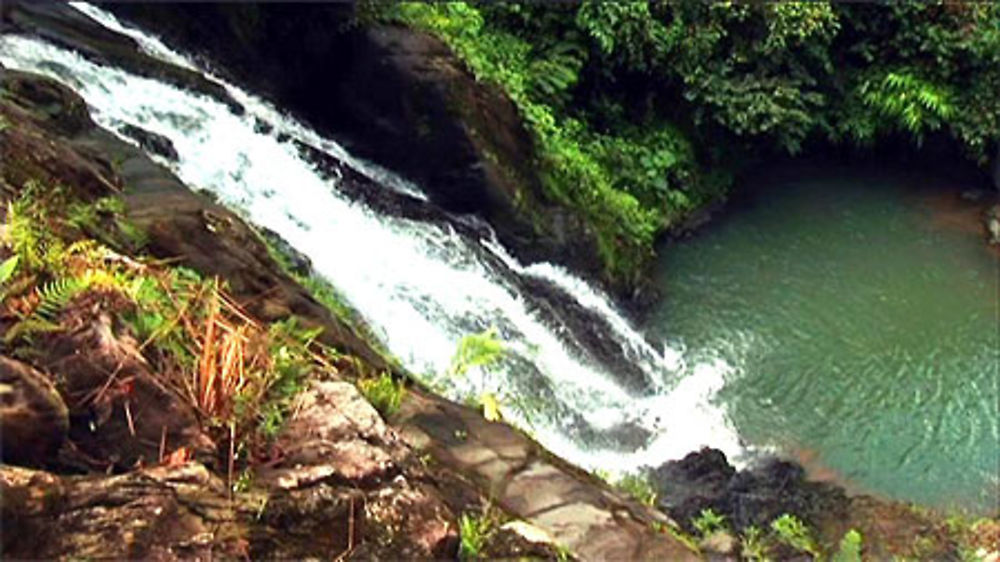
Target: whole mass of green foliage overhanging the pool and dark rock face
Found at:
616, 94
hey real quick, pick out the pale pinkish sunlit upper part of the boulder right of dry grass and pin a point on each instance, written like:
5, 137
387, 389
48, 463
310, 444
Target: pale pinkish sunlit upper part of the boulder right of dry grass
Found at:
335, 434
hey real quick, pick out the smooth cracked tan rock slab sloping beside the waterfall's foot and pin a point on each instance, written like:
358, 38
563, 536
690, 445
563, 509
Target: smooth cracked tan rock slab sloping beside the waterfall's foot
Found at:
577, 510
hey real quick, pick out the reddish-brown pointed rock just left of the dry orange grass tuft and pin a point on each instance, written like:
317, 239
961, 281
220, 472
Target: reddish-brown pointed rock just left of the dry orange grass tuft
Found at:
121, 413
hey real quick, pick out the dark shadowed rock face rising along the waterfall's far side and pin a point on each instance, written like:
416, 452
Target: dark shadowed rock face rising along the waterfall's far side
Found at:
394, 96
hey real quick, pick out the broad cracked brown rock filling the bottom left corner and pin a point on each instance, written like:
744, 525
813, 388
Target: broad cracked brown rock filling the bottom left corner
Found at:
163, 513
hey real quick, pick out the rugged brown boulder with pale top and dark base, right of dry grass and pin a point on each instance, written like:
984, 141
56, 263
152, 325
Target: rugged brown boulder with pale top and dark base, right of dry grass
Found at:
345, 479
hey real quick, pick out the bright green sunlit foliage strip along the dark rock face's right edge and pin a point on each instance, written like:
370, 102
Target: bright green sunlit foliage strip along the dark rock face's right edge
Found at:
576, 162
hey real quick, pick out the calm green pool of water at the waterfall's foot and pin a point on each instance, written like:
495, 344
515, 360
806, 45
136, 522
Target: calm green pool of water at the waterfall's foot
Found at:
859, 309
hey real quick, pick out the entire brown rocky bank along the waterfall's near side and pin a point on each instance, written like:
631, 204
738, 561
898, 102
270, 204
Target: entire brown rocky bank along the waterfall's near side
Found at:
88, 478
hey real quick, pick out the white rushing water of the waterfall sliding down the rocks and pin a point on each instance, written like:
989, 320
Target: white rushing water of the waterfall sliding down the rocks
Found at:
422, 287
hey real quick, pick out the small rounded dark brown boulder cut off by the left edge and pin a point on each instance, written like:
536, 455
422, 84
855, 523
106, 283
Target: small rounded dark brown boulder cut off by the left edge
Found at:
33, 418
